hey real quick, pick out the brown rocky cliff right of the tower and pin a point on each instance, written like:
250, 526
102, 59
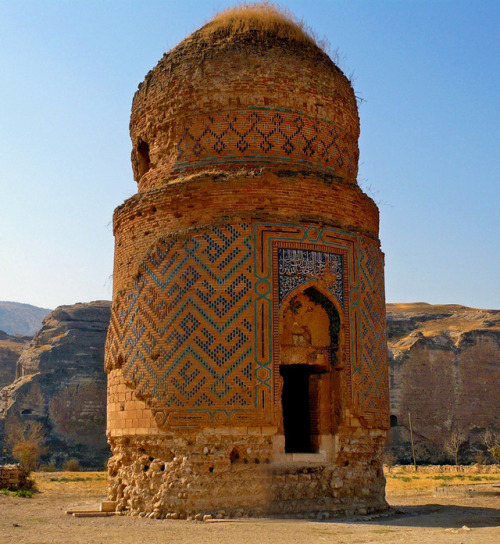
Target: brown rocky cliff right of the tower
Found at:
444, 365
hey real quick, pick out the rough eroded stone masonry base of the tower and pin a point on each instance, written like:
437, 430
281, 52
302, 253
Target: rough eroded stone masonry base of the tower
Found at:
188, 475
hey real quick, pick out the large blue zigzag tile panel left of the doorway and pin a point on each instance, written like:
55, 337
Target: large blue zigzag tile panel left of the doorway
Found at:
183, 333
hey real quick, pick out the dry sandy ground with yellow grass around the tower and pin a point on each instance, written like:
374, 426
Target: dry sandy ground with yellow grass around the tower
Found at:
464, 510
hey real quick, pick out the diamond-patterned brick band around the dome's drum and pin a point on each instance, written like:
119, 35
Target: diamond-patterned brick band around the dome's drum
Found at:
266, 135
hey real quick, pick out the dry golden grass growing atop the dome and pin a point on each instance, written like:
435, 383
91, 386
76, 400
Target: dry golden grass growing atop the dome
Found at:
262, 18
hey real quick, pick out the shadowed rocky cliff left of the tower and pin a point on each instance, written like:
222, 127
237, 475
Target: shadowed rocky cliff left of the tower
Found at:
61, 383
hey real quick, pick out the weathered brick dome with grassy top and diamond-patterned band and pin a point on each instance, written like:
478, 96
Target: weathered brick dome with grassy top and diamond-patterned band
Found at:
250, 88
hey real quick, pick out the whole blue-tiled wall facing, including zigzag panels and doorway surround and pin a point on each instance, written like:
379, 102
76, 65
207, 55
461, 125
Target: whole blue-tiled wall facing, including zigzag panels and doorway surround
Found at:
197, 335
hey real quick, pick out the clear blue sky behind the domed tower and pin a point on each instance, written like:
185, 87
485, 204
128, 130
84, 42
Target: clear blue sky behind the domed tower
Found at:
429, 74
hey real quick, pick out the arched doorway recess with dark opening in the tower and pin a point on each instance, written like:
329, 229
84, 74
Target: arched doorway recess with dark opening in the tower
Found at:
309, 338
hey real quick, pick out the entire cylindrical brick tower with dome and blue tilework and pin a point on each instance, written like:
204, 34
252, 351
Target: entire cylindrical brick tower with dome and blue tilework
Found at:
246, 356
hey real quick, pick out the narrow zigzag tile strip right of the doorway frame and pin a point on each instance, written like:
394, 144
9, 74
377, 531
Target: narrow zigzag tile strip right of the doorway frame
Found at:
375, 387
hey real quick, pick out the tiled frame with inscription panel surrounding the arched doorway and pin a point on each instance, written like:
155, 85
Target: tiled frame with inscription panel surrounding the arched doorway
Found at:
288, 256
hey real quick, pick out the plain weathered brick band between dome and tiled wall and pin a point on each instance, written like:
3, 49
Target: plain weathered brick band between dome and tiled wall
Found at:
212, 198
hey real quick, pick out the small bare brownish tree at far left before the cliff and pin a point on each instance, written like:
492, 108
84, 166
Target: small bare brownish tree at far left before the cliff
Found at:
26, 441
